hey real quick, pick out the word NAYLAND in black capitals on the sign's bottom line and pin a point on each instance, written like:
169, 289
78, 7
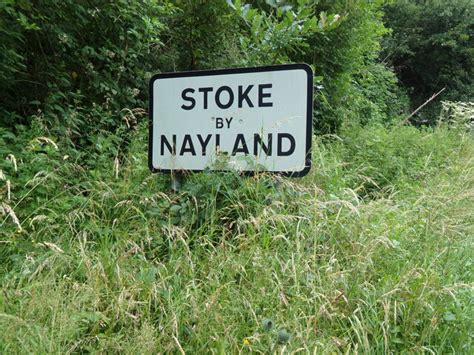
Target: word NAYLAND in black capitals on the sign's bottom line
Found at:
188, 144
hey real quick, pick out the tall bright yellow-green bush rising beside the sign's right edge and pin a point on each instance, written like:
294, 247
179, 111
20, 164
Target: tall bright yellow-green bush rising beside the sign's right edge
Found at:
353, 86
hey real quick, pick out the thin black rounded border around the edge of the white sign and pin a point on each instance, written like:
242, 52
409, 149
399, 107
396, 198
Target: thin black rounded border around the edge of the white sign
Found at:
281, 67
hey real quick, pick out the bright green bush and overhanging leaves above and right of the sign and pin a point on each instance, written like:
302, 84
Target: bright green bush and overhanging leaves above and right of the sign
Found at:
341, 41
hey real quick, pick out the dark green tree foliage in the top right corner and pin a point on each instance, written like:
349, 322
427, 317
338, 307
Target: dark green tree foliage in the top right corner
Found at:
431, 47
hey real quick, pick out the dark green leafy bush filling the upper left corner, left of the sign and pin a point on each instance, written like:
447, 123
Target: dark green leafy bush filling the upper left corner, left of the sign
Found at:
69, 54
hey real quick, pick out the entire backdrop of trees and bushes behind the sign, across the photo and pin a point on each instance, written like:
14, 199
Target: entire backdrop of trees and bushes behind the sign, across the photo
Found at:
78, 66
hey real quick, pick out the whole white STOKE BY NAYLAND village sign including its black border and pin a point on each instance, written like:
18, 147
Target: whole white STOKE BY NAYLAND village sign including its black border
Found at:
246, 119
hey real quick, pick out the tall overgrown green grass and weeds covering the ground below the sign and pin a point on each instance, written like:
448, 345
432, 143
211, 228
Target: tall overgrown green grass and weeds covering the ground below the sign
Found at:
370, 253
